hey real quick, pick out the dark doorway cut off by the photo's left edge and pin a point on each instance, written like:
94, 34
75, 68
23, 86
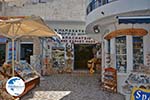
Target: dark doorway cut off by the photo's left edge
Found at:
2, 53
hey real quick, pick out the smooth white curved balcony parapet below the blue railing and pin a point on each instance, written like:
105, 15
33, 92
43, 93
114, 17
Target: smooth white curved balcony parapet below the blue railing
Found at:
118, 7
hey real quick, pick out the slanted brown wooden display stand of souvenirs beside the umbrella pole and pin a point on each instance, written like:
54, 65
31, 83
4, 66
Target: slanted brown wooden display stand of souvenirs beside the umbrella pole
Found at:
28, 74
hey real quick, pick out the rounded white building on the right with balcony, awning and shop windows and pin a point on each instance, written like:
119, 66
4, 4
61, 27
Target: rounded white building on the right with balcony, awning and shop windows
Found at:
126, 43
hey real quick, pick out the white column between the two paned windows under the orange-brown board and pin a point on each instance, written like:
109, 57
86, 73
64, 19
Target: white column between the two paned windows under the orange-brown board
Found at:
129, 43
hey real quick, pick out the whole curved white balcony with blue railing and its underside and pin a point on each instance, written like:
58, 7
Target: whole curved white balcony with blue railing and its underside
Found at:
104, 13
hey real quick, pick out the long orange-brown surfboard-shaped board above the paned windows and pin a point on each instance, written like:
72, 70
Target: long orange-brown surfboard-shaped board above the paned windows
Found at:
129, 31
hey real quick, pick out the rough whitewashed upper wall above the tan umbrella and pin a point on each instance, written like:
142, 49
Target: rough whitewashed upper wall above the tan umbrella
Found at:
60, 10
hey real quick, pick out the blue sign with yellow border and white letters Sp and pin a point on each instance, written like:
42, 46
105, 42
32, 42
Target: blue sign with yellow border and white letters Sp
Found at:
140, 94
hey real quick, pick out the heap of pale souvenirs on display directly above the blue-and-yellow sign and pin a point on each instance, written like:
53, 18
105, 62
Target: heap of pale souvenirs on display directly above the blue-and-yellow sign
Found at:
138, 78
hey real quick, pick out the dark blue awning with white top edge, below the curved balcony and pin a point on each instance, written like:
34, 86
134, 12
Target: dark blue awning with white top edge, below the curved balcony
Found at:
134, 20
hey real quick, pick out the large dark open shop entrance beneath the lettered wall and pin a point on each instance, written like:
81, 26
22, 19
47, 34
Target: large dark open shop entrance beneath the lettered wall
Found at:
82, 53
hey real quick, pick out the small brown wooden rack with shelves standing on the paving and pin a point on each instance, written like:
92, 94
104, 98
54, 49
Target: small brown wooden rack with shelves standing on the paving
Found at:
110, 80
